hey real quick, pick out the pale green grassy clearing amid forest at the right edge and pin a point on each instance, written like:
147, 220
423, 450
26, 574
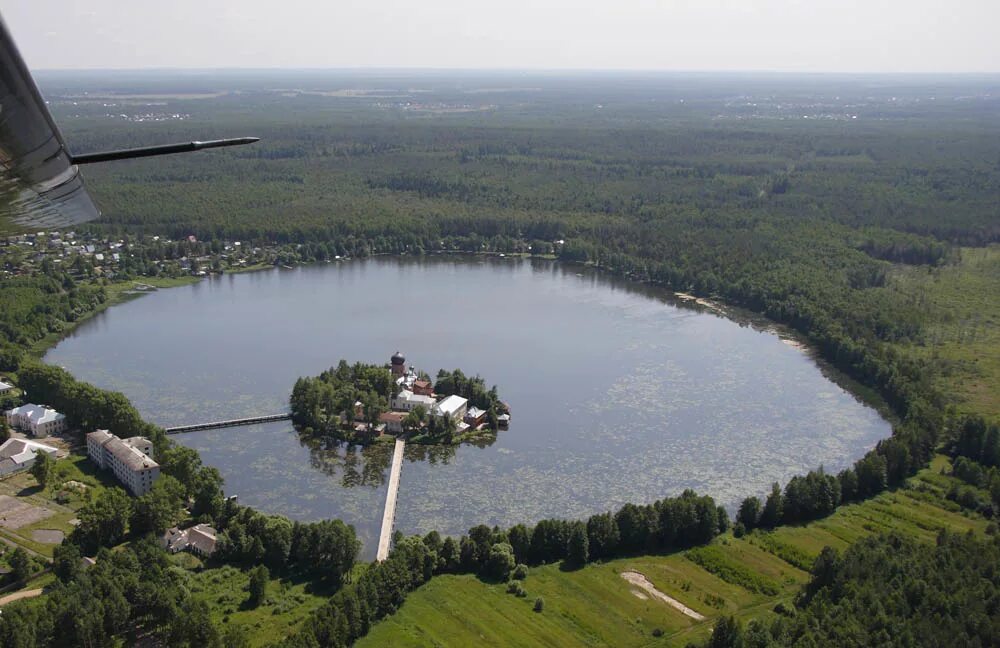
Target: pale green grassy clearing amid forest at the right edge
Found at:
962, 326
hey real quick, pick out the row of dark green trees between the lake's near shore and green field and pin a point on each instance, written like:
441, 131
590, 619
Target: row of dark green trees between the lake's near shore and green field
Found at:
495, 553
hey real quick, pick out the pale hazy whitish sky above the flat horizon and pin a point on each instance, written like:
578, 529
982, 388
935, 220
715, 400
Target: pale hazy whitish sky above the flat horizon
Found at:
893, 36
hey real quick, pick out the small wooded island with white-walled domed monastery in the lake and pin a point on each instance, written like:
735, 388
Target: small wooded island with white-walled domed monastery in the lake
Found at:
362, 403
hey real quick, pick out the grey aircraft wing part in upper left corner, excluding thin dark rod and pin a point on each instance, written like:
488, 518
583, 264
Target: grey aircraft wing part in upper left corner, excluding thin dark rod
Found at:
40, 187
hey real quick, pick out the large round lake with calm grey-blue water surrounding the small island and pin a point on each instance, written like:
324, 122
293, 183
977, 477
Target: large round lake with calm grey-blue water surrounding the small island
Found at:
618, 392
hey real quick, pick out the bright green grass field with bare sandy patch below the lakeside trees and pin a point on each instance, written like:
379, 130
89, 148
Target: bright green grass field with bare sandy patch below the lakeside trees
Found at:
594, 606
